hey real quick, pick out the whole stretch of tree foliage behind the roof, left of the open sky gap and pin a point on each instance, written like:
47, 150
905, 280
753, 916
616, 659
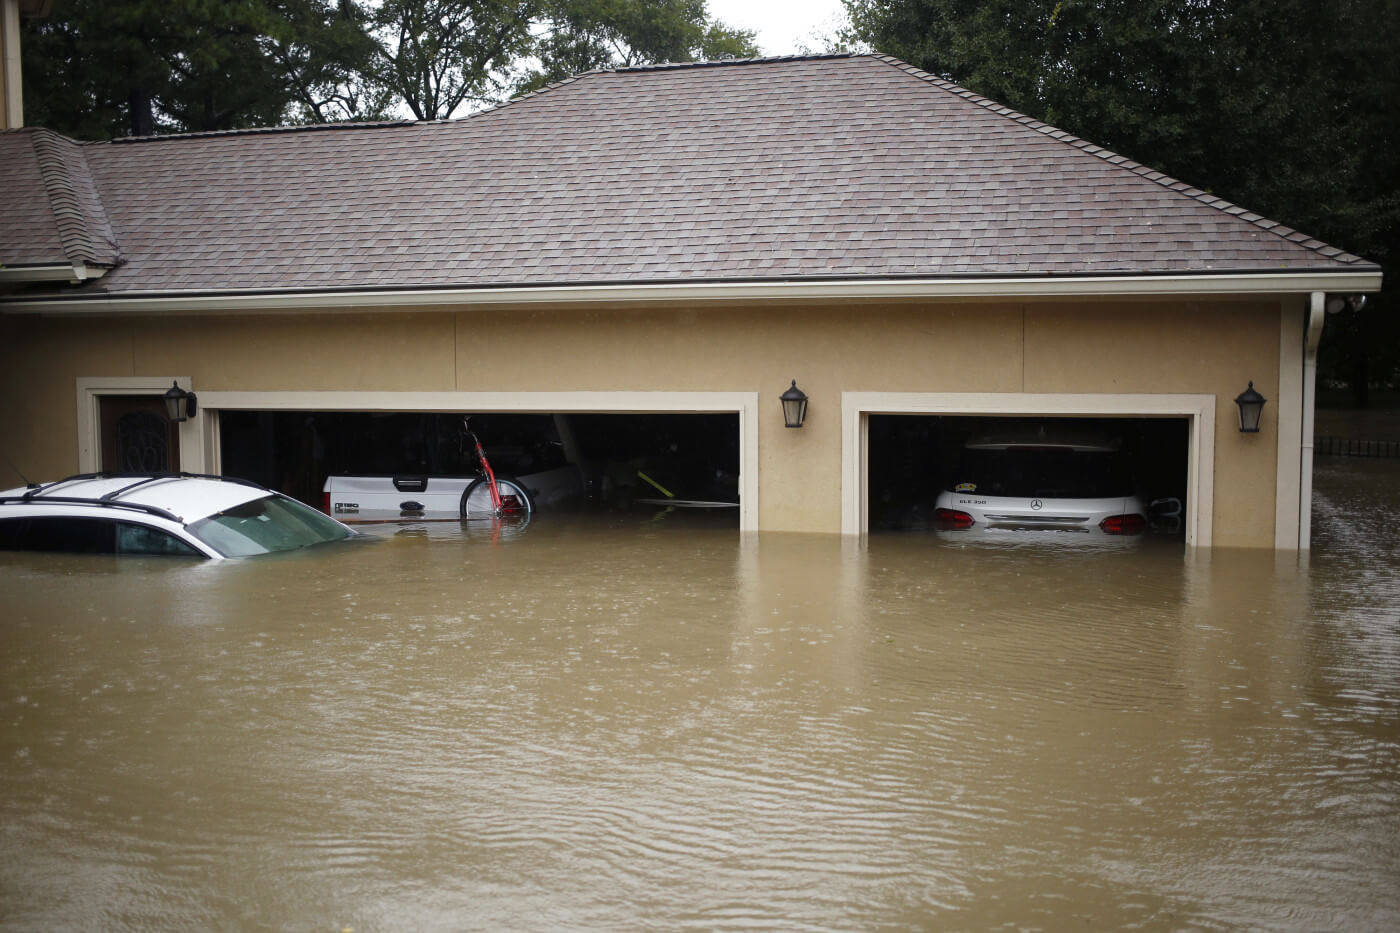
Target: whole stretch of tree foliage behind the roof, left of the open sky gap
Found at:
96, 69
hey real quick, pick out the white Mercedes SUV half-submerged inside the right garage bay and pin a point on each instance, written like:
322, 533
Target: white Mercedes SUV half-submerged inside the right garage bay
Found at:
1044, 478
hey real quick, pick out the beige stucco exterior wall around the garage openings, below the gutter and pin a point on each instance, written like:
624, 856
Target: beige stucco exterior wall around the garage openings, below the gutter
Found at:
1044, 348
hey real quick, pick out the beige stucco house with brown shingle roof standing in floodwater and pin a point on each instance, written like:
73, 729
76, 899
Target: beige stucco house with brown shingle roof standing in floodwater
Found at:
664, 253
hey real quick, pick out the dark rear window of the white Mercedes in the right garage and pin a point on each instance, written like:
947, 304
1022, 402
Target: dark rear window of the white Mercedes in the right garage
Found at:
1046, 473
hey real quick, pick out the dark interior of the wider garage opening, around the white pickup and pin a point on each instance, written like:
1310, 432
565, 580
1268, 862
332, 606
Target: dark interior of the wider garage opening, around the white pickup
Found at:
568, 462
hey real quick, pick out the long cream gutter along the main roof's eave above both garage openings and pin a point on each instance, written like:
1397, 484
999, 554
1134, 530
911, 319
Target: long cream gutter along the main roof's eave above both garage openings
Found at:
733, 292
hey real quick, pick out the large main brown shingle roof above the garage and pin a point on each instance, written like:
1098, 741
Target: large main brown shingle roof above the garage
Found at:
789, 169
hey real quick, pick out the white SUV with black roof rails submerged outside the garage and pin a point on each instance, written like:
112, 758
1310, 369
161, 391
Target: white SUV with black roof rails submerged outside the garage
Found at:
173, 515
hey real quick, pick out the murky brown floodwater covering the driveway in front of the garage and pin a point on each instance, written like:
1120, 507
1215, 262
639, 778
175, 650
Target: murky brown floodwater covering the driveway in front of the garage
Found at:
615, 724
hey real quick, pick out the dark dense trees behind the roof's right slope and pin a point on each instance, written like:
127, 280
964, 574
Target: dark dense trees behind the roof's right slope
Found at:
1286, 107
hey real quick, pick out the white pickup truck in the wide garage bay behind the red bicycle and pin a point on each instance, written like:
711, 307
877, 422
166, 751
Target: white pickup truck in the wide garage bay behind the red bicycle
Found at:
423, 498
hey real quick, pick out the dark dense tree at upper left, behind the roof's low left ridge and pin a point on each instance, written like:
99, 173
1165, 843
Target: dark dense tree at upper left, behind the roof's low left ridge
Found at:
97, 69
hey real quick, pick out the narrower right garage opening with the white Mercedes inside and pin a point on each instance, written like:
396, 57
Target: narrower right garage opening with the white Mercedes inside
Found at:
1066, 470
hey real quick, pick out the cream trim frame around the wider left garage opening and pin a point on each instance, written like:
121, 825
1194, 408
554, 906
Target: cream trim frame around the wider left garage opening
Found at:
205, 450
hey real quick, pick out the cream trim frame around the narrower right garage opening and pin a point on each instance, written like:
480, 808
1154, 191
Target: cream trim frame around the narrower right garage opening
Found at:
1198, 410
